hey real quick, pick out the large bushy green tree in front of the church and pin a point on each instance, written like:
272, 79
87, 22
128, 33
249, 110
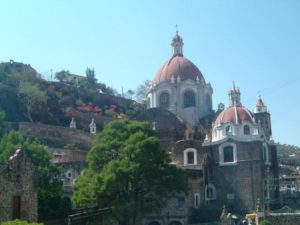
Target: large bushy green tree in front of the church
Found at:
129, 172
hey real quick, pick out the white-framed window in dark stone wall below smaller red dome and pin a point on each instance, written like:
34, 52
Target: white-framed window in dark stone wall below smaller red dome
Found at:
227, 154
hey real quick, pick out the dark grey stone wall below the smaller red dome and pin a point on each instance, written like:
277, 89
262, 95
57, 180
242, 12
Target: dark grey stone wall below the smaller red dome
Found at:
240, 185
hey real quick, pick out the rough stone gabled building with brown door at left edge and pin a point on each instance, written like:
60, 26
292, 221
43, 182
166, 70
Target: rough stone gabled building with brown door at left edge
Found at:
18, 189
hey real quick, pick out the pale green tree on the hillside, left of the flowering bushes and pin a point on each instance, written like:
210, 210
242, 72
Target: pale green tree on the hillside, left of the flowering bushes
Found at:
33, 97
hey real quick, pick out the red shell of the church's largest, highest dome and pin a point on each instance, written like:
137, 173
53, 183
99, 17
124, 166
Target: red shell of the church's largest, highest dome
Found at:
178, 66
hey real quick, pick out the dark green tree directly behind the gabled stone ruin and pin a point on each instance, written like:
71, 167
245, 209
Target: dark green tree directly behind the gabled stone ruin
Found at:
49, 186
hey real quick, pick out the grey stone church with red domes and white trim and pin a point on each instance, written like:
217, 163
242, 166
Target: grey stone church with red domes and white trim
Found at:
228, 154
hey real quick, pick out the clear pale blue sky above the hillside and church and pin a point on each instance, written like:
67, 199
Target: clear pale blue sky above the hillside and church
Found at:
254, 43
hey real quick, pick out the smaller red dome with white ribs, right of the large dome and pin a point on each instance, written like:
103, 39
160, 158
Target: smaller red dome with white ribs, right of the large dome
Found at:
234, 114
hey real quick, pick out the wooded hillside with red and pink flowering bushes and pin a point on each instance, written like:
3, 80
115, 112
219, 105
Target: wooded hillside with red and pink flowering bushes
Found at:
26, 97
